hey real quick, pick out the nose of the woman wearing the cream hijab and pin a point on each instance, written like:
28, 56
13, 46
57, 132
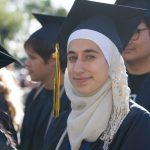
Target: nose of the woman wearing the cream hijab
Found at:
79, 66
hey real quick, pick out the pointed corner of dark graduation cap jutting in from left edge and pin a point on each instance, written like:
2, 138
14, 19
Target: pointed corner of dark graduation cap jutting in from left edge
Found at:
6, 58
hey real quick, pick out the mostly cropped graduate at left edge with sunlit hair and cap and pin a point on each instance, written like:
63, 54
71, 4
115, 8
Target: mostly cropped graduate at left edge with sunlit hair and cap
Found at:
8, 134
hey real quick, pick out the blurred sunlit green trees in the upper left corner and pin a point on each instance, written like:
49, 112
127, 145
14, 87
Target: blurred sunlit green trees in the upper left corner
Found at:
16, 21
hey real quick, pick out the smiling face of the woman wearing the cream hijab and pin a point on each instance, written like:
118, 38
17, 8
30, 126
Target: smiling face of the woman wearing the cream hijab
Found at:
87, 66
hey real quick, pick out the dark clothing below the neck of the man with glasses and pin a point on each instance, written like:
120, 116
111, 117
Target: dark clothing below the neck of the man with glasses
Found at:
140, 87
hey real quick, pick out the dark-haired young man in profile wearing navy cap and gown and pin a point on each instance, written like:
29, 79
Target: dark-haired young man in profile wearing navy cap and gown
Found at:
40, 47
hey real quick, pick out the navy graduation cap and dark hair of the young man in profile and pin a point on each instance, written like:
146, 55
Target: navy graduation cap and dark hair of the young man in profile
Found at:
44, 38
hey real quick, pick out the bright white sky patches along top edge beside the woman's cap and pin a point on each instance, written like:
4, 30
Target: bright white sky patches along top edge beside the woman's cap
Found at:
68, 3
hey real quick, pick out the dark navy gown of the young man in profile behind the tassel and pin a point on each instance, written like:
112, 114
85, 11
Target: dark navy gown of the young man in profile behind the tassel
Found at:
36, 119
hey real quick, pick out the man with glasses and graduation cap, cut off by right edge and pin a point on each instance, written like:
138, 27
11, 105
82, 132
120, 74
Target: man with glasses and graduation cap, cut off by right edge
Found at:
137, 56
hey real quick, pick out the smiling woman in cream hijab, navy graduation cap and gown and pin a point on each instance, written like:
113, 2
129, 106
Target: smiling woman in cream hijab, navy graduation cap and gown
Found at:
102, 117
